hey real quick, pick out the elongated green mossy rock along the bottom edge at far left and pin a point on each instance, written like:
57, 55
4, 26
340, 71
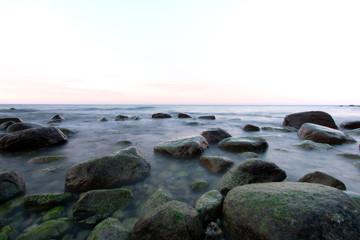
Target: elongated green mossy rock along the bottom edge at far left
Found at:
52, 229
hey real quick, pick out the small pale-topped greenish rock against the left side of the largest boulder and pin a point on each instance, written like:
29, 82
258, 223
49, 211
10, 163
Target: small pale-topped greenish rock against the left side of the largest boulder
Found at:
209, 205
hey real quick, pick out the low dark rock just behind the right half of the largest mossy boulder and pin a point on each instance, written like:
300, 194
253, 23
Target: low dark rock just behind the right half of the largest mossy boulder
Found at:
324, 179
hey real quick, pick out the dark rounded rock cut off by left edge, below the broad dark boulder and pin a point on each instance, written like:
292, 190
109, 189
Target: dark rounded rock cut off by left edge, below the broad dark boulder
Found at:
11, 185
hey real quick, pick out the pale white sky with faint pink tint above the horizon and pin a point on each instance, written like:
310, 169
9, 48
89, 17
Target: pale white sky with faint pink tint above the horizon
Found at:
180, 52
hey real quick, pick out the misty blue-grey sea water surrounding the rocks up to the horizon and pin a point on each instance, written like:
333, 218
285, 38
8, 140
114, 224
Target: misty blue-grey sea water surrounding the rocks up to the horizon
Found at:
94, 138
